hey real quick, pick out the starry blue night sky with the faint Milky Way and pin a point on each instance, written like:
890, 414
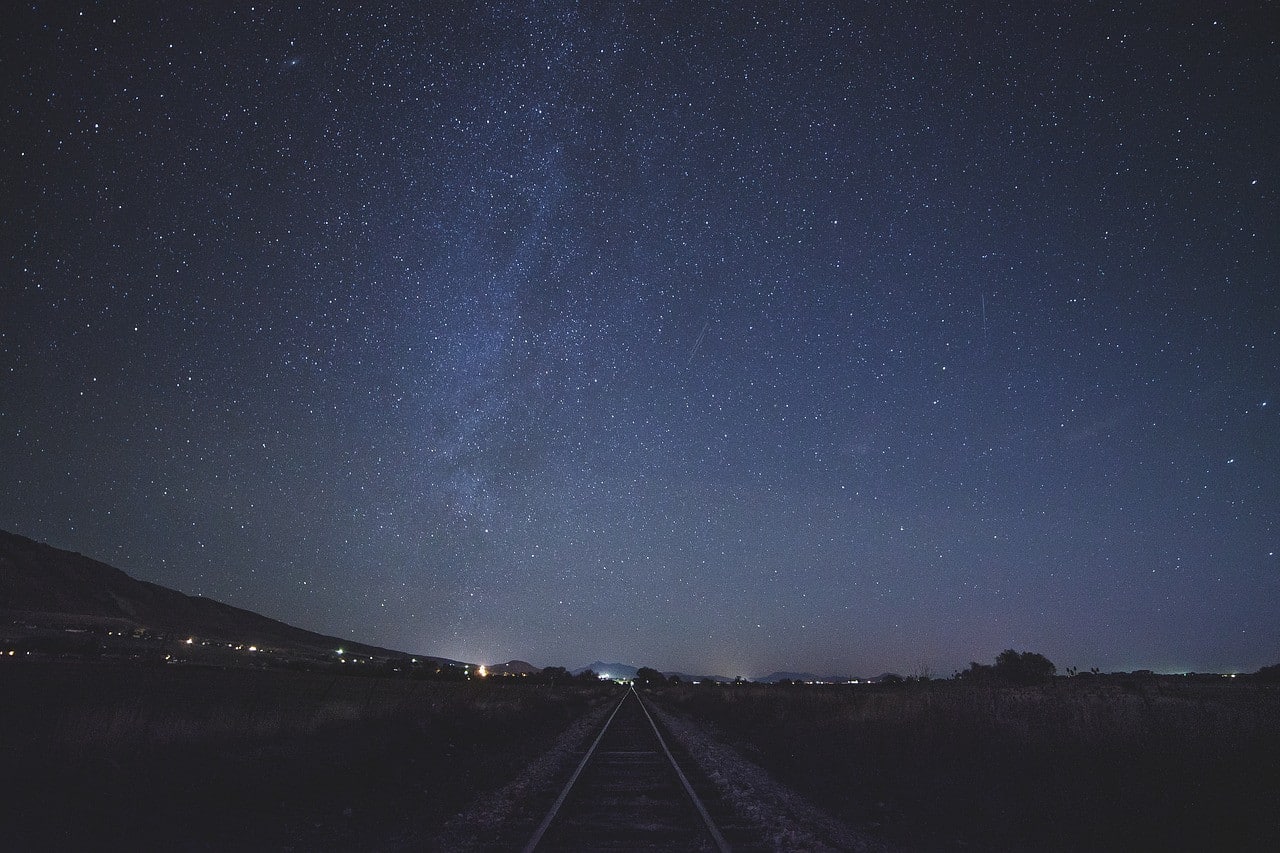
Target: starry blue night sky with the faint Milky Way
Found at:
721, 337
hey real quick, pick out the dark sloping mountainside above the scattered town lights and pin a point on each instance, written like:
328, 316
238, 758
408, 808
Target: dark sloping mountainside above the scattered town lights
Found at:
39, 581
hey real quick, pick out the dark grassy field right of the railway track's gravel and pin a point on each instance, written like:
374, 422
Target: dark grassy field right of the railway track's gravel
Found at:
1076, 765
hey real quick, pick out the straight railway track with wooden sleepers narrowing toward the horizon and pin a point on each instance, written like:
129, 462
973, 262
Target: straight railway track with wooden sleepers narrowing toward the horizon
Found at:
628, 793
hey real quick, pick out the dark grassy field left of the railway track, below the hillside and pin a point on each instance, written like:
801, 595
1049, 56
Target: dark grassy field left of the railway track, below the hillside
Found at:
115, 756
